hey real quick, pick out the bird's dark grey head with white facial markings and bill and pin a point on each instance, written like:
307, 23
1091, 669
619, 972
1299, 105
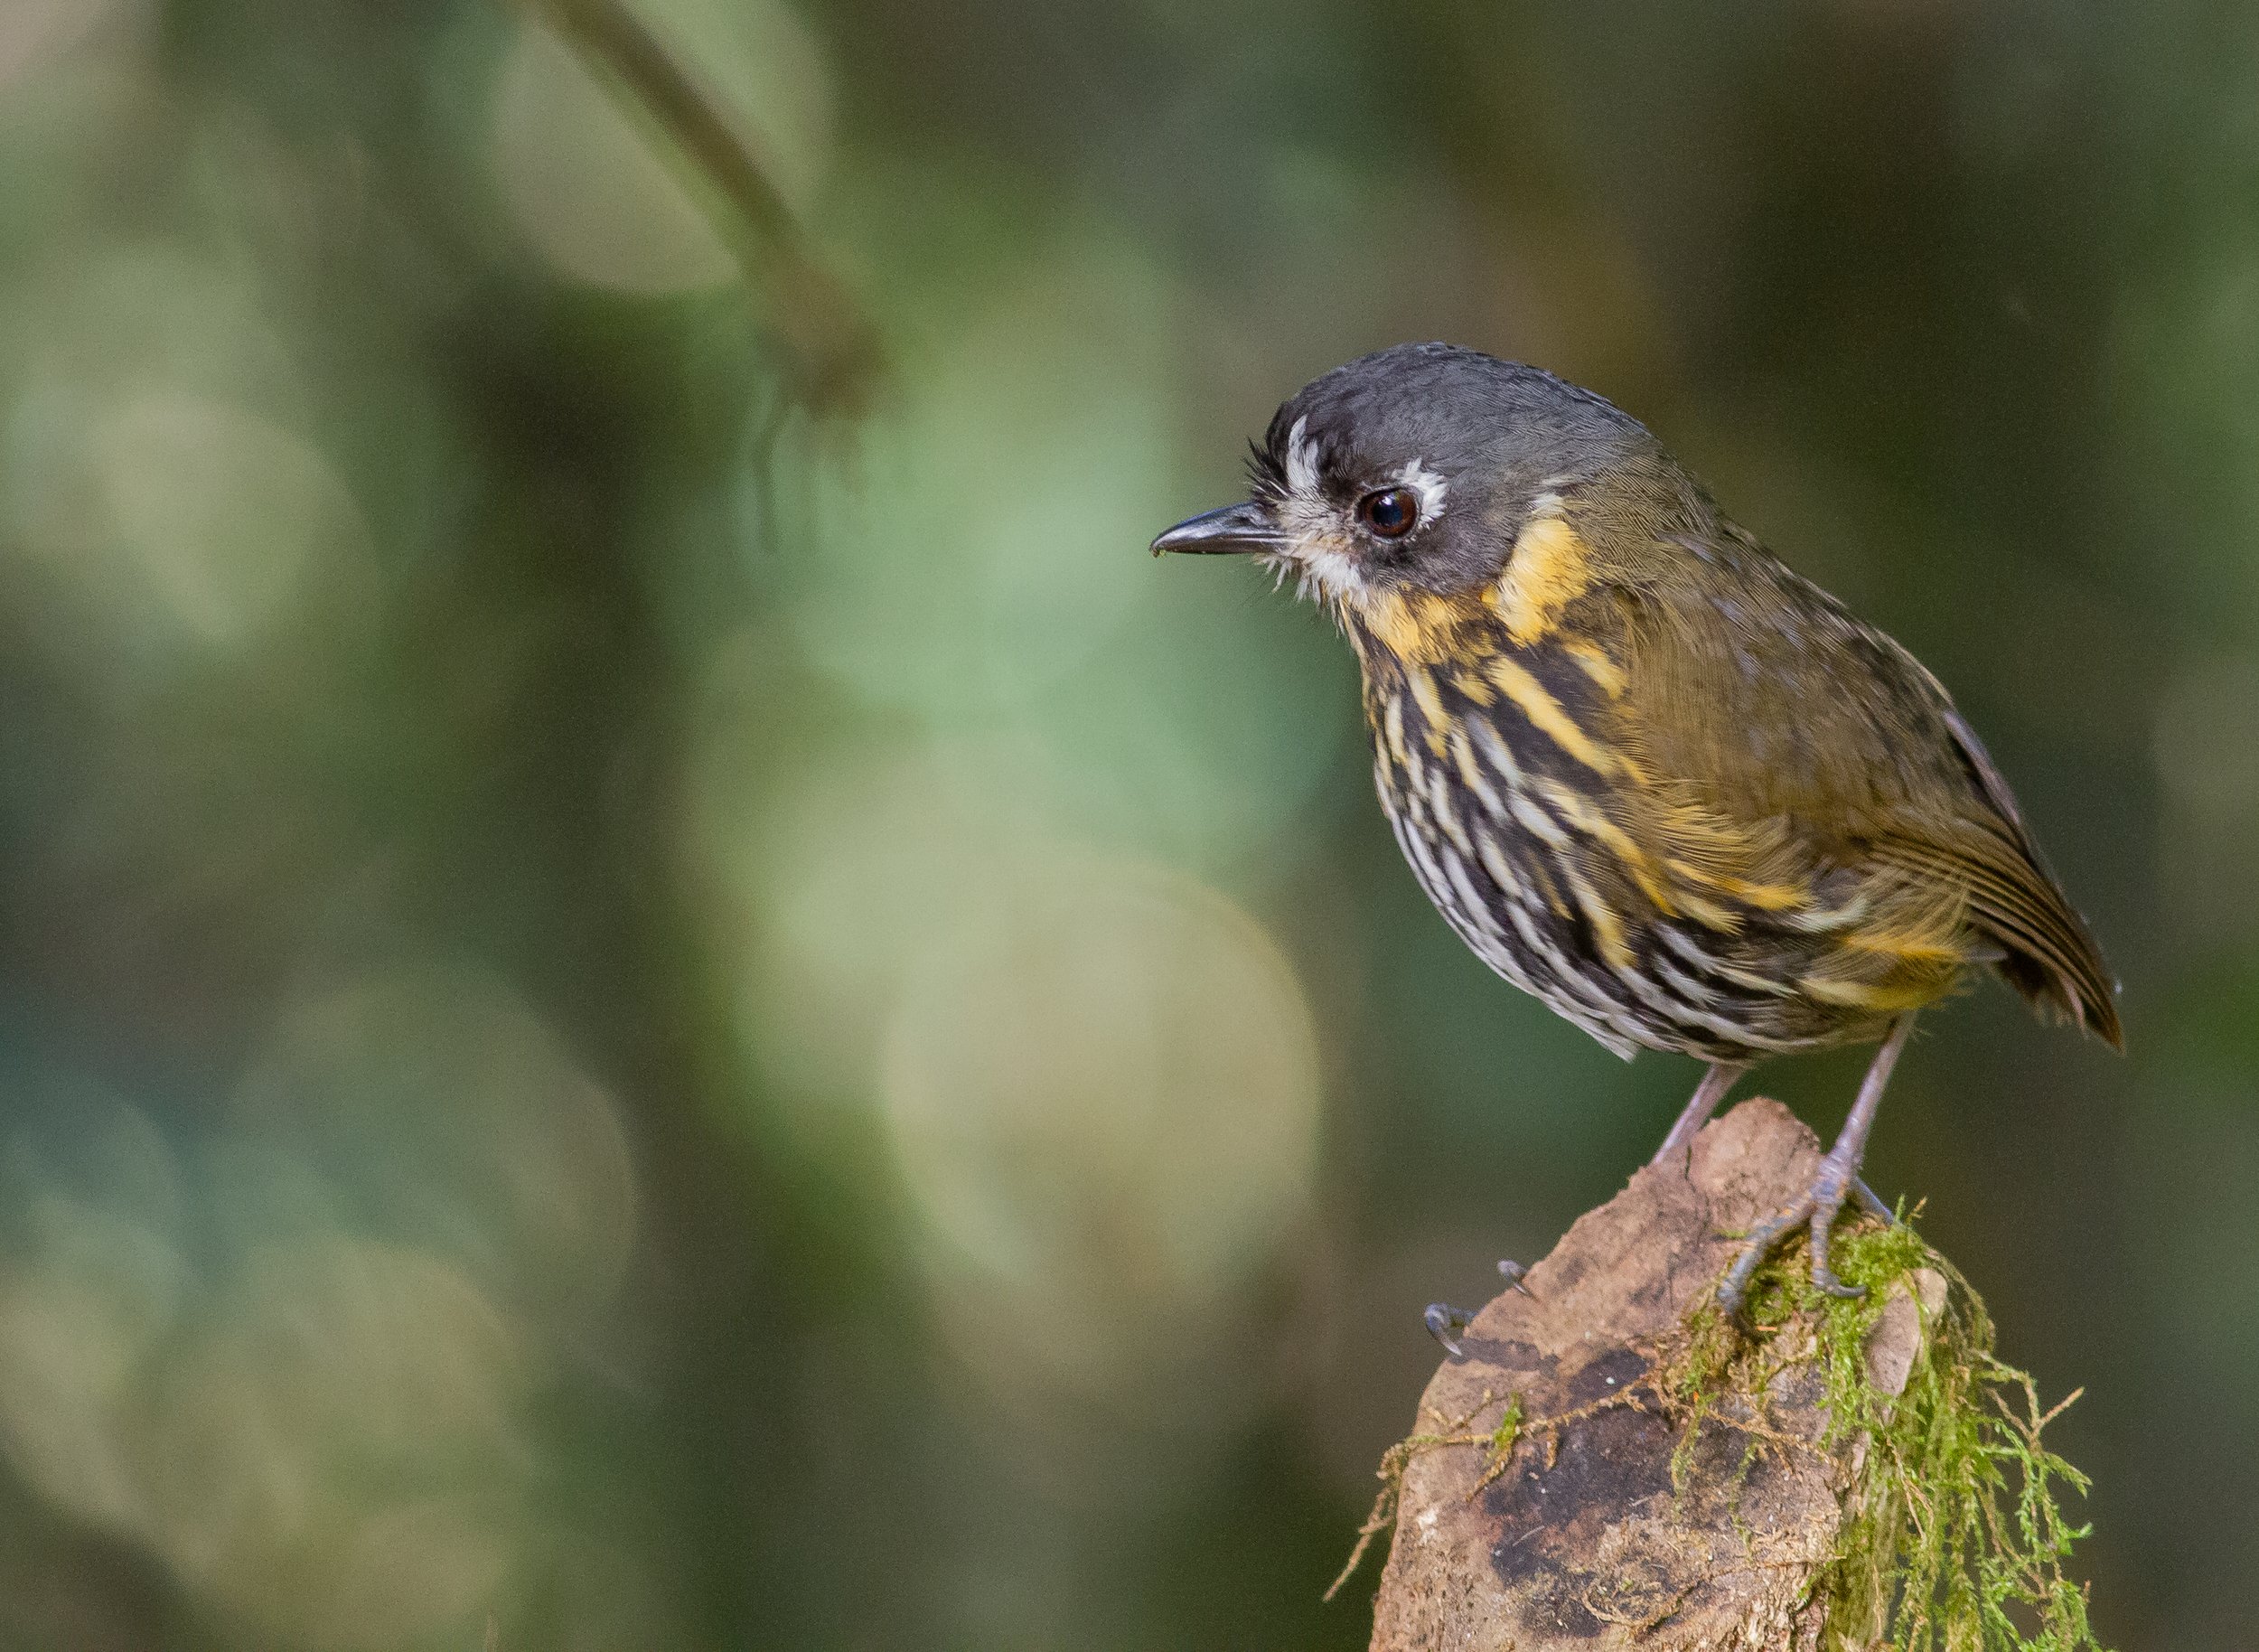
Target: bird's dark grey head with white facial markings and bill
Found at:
1413, 471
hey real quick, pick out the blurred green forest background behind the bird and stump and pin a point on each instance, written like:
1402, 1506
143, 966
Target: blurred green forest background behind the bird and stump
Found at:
683, 1025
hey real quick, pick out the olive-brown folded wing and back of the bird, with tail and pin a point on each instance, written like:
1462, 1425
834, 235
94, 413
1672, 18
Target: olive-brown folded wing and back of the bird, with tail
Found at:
1829, 747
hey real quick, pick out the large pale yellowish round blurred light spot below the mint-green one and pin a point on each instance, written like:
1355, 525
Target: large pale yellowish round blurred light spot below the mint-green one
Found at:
1104, 1097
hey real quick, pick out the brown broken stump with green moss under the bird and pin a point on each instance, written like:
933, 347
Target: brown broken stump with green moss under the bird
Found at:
1616, 1463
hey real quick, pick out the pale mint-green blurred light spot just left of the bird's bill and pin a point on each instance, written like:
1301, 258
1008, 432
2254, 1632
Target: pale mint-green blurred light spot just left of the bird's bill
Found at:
986, 537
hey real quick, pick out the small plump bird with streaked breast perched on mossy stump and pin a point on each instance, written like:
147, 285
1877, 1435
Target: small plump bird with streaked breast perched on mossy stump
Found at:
1641, 767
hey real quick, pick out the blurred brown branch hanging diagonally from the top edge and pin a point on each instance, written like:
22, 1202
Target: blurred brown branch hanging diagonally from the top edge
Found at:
835, 345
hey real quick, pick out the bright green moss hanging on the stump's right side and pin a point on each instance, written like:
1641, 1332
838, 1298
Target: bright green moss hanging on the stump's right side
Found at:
1957, 1538
